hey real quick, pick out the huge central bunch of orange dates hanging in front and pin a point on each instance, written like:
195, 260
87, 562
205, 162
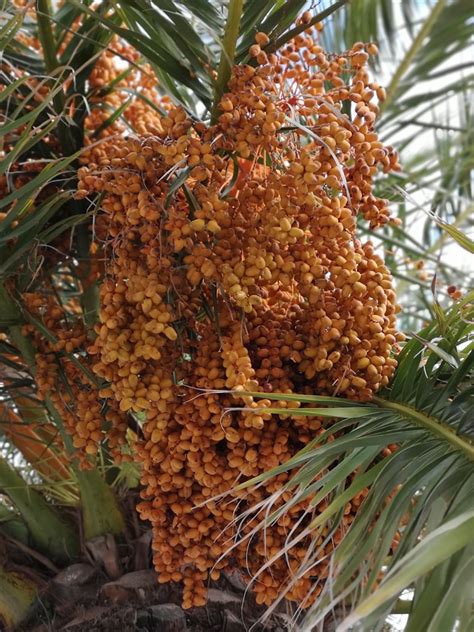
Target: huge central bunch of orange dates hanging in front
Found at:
233, 266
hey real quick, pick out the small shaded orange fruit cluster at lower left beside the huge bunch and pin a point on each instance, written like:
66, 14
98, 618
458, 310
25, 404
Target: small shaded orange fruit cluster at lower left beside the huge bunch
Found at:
64, 377
